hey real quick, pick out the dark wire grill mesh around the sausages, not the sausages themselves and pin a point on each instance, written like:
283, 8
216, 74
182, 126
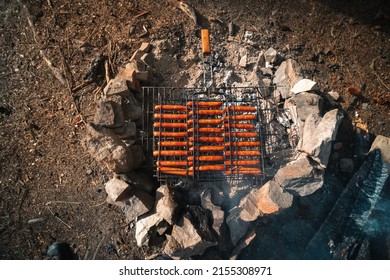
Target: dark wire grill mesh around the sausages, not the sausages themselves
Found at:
233, 96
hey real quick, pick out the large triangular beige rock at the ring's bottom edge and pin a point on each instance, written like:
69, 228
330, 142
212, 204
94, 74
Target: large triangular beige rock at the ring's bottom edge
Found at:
185, 241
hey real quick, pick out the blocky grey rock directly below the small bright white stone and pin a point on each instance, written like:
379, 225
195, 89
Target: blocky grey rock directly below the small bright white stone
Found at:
306, 104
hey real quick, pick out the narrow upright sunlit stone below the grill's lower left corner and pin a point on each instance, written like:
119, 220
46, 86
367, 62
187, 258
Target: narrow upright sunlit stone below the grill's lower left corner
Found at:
166, 204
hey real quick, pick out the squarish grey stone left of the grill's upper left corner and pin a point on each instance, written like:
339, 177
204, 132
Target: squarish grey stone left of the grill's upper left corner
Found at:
109, 114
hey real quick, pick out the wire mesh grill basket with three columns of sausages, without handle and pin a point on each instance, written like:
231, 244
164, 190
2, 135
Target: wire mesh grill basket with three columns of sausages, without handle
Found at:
193, 135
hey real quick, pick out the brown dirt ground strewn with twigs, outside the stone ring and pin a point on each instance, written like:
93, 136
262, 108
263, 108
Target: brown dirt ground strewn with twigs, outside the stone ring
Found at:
44, 171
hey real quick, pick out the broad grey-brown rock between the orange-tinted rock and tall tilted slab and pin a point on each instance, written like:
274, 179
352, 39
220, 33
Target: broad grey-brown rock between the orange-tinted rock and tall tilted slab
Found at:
300, 177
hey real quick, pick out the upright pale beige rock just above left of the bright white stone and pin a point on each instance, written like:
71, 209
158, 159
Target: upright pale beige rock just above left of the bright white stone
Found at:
287, 75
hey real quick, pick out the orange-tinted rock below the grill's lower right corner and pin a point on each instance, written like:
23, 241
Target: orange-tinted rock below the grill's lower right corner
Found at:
271, 198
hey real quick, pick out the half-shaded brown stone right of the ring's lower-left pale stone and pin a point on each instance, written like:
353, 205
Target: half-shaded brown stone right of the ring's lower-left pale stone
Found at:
137, 205
